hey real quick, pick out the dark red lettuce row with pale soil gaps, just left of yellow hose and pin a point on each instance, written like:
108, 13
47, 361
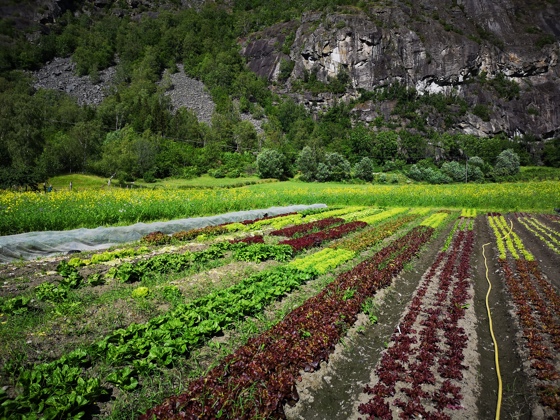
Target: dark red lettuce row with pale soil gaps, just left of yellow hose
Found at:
418, 355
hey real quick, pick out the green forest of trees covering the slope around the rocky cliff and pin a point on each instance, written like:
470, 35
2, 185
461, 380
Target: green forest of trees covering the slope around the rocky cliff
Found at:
135, 134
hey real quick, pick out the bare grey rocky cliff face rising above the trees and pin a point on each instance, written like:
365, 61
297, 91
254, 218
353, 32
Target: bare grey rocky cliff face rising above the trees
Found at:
501, 56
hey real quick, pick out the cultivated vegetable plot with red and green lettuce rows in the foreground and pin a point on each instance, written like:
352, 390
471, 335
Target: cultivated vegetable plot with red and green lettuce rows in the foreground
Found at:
360, 310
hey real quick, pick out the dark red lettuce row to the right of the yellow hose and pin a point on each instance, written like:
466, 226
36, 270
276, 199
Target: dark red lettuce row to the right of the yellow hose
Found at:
538, 313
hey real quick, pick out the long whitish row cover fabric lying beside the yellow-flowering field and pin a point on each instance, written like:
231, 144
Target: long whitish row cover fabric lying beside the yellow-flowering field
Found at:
33, 245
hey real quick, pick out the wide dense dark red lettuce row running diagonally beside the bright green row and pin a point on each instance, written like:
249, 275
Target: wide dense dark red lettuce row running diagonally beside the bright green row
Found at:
260, 377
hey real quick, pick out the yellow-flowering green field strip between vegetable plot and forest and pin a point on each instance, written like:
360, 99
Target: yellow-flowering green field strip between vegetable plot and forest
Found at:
93, 207
